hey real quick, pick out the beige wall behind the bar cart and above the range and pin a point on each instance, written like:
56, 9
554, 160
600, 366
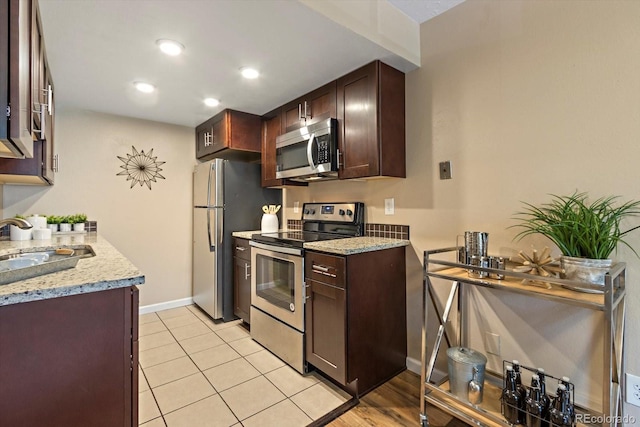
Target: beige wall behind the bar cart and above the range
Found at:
525, 98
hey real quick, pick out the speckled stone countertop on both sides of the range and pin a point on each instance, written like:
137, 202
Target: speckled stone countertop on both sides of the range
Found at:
348, 246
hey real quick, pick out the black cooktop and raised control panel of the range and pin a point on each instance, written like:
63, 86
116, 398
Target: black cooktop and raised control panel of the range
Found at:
320, 221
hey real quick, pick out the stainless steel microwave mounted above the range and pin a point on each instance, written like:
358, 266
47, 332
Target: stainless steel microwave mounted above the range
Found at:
308, 153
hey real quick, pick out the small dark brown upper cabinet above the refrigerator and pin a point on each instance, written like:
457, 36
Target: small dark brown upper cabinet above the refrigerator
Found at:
231, 135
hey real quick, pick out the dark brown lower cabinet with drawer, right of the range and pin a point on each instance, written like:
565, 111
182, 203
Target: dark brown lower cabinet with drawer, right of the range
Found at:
356, 327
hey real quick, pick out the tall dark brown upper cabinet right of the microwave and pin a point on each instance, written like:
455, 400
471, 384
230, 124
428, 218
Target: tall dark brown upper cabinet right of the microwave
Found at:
371, 117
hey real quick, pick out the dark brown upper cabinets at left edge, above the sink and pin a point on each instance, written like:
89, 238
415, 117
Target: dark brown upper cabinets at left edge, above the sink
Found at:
28, 94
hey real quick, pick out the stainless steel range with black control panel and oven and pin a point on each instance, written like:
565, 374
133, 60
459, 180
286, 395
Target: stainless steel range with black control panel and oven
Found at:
277, 285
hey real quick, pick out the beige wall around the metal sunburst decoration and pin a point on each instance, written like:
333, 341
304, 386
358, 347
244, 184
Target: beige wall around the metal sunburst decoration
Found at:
150, 227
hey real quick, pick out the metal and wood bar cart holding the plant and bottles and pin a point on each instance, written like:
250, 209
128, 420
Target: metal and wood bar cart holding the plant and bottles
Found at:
611, 302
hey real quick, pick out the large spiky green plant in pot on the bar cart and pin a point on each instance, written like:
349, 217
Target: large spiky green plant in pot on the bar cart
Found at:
585, 232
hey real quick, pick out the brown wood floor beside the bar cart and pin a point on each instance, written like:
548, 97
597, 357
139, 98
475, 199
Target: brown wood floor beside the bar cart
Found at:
395, 403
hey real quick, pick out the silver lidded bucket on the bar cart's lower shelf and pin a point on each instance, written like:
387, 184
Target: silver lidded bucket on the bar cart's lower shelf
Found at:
461, 362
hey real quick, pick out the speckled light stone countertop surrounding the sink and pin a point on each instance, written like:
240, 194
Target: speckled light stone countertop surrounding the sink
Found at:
108, 269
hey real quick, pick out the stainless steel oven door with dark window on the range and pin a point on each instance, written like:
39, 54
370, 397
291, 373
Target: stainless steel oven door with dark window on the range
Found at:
277, 286
